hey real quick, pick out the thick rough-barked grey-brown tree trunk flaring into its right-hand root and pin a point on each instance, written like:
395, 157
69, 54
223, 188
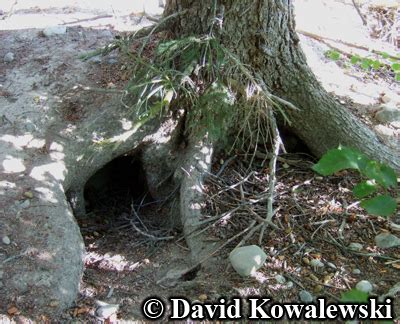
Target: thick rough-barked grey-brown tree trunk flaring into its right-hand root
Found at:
262, 34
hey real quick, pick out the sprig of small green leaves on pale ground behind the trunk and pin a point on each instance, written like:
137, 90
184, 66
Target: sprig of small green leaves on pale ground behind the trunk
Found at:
379, 62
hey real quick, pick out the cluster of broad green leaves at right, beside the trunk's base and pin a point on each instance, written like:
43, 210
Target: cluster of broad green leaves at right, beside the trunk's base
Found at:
379, 178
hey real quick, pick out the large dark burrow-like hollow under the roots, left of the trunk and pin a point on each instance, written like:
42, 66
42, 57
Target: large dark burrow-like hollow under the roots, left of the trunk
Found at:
117, 197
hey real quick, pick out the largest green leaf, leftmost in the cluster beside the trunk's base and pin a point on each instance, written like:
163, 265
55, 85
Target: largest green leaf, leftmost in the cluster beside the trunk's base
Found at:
339, 159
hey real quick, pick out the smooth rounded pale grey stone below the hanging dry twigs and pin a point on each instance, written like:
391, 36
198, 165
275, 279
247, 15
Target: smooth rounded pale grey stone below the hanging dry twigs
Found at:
247, 259
